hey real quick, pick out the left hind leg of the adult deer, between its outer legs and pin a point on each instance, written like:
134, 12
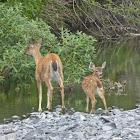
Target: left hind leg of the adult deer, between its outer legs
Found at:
50, 94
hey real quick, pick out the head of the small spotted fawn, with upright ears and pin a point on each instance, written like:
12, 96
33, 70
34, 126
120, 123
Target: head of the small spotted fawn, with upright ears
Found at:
97, 70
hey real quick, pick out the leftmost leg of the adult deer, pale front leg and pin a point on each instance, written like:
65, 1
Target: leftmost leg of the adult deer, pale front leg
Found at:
39, 86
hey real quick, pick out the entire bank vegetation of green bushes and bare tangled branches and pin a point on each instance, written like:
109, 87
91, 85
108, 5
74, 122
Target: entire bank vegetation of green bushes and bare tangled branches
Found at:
49, 20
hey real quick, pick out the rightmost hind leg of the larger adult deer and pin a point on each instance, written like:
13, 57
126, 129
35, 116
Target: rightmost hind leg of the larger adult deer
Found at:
62, 94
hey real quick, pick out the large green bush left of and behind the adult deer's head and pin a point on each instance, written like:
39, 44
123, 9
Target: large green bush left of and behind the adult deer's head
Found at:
15, 33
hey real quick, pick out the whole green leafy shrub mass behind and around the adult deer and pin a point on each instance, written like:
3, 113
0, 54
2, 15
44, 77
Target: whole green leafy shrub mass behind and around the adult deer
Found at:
75, 50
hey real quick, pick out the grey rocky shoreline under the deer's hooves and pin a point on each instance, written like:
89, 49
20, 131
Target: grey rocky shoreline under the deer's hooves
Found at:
119, 125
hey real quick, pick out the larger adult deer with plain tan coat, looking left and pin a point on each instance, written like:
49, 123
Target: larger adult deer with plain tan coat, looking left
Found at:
48, 69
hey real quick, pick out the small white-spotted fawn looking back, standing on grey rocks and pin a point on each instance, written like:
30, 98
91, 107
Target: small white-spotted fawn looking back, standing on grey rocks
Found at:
92, 85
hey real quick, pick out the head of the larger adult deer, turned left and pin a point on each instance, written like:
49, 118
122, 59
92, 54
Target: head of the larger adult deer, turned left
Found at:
33, 47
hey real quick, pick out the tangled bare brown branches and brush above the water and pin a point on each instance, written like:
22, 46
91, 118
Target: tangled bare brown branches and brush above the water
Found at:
102, 18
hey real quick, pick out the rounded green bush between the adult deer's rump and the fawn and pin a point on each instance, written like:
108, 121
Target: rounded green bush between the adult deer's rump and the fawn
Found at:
76, 52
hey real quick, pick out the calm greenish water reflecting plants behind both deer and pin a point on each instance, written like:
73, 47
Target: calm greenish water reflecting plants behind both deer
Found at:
122, 59
